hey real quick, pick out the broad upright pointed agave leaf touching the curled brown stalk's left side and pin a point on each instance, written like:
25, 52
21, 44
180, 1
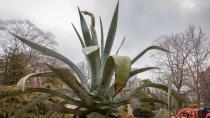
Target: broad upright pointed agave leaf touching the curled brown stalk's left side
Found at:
85, 30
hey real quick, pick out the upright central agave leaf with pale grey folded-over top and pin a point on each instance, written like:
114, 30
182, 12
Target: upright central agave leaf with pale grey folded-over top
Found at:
93, 58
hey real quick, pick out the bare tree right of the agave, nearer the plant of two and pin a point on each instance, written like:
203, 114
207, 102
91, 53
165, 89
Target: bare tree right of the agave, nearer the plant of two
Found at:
174, 62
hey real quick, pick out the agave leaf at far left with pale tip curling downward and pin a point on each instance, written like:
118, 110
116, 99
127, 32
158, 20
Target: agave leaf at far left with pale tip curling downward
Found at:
21, 83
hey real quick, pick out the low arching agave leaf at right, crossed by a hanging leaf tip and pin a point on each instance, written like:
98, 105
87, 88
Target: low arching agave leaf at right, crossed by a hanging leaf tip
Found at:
175, 94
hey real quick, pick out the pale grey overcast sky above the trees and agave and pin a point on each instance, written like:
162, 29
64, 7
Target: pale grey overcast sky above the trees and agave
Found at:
141, 21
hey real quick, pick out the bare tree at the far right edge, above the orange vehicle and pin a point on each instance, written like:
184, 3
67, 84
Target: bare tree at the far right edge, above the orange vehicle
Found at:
198, 58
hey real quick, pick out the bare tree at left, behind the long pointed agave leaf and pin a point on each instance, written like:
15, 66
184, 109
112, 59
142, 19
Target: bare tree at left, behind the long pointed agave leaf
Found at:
11, 46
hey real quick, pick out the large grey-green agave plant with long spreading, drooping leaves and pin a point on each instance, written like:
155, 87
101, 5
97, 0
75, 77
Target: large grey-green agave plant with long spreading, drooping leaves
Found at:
100, 96
